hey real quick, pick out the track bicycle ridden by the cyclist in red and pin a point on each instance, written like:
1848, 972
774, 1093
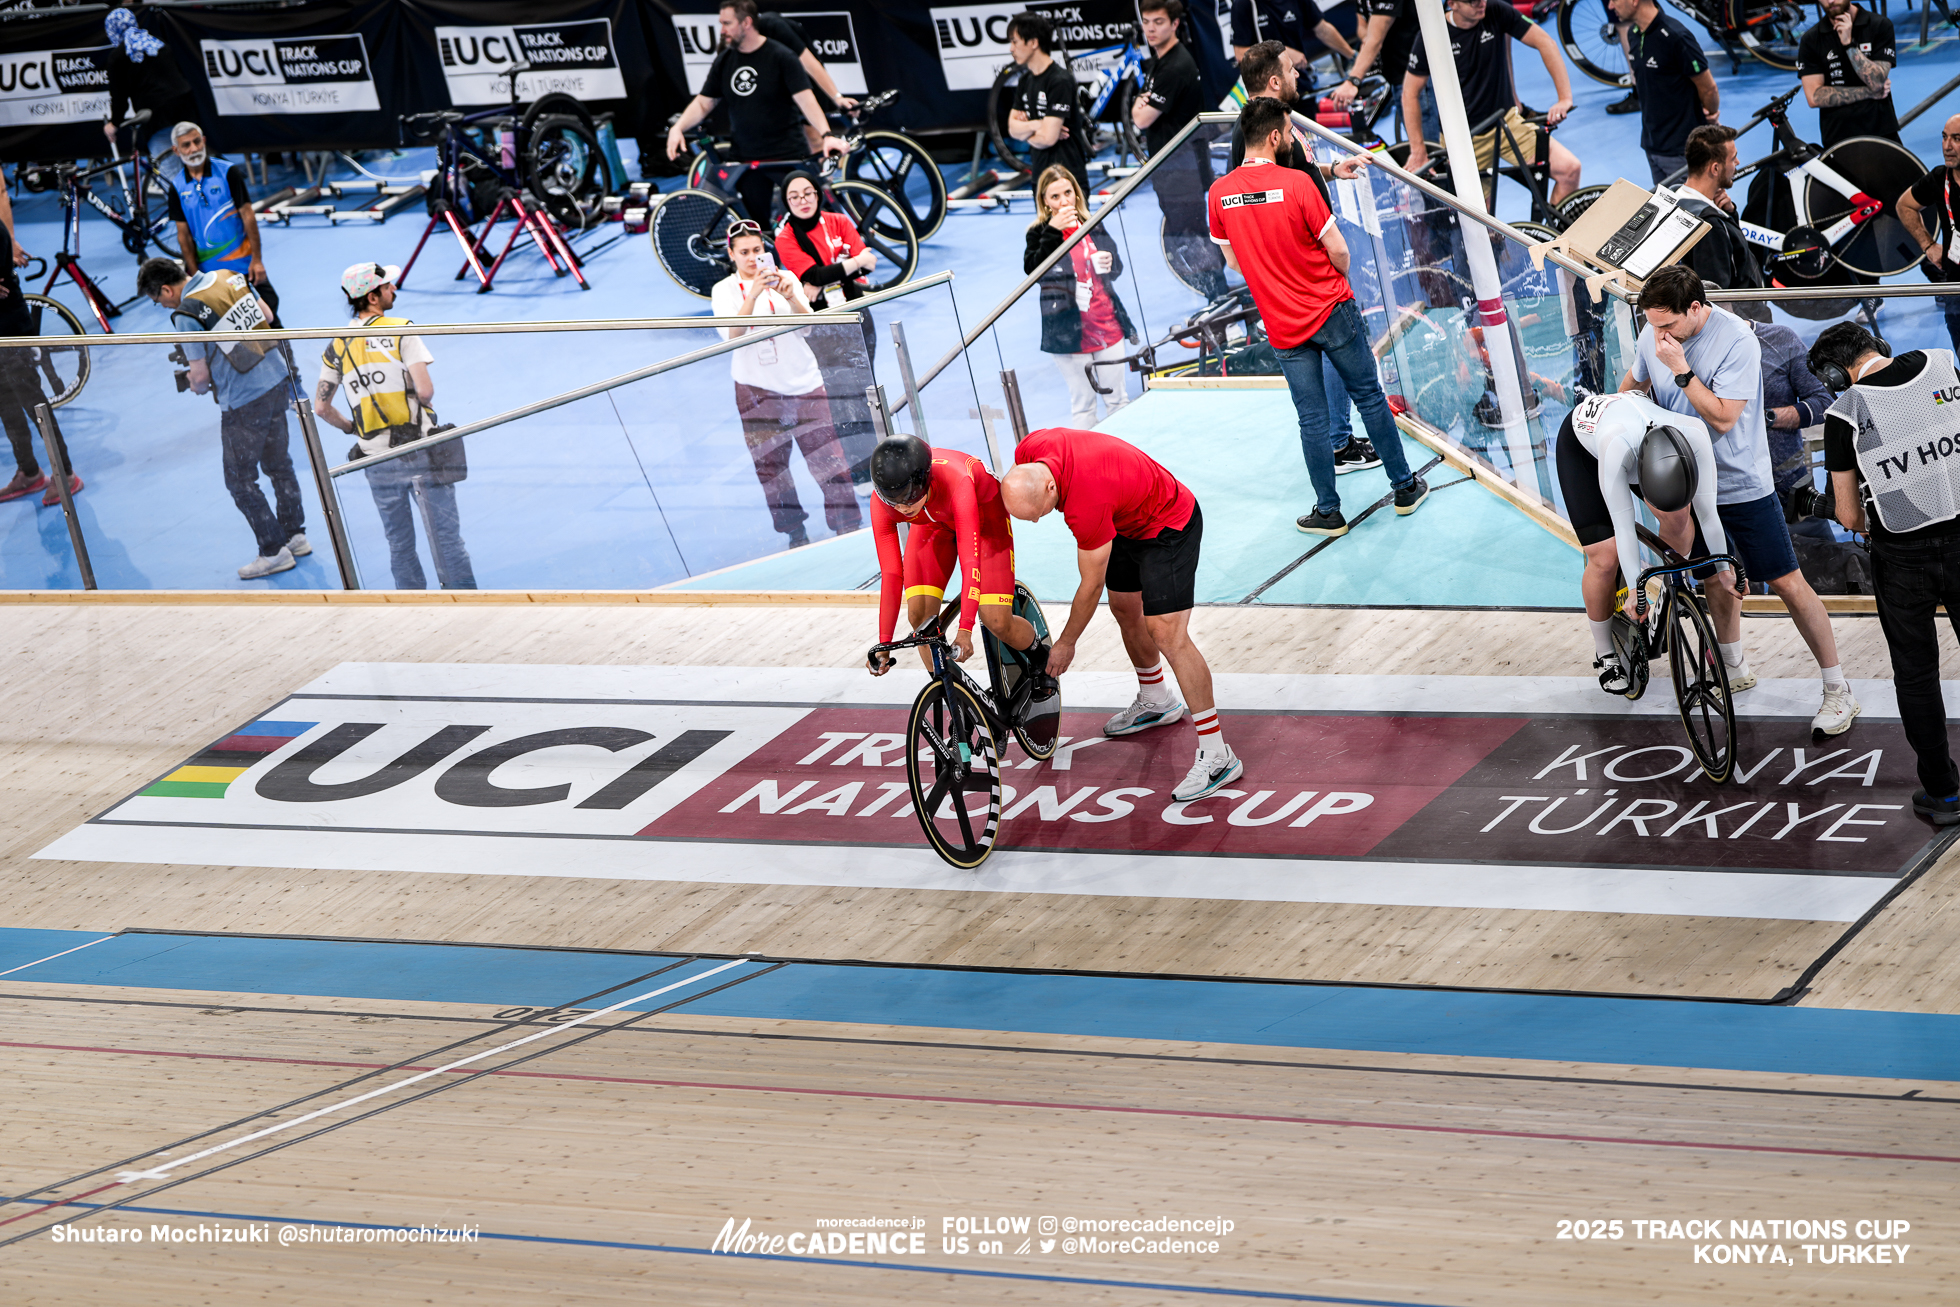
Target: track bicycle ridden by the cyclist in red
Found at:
957, 732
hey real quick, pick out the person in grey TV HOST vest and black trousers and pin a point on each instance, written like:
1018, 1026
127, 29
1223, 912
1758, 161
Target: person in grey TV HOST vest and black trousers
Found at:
1892, 481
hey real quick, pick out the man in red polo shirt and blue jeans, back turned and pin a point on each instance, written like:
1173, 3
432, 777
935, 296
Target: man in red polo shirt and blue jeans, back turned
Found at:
1277, 232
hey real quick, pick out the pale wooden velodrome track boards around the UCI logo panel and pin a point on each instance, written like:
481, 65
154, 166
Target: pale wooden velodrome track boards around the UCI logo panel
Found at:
1381, 1177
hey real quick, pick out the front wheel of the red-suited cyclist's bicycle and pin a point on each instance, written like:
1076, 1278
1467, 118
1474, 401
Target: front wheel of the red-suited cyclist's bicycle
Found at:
954, 759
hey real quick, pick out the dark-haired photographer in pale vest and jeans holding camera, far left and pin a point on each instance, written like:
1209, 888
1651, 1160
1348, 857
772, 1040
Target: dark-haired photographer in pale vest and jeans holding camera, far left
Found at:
252, 383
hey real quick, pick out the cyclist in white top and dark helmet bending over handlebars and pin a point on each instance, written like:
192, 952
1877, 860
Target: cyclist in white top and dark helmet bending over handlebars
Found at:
1598, 461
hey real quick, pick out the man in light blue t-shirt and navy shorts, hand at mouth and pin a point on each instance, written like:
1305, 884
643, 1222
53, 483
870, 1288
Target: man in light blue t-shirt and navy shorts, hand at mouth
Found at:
1706, 363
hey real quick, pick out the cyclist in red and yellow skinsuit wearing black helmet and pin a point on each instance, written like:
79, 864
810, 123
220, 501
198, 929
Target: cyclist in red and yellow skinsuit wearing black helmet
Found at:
952, 505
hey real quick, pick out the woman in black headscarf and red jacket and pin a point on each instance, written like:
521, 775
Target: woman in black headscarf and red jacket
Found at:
828, 256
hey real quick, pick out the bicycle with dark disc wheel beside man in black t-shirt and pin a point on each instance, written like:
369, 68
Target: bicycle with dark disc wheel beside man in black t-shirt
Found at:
691, 226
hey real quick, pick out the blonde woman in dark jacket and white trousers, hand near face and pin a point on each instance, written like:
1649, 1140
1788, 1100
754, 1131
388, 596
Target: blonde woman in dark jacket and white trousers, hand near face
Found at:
1083, 320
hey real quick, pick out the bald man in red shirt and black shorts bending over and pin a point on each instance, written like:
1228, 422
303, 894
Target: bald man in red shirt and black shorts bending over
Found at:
1138, 530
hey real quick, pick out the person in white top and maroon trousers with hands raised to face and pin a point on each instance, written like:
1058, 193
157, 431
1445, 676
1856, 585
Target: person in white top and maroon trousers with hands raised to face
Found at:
779, 391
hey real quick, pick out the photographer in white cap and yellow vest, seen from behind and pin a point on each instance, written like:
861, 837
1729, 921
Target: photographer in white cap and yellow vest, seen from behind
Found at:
389, 391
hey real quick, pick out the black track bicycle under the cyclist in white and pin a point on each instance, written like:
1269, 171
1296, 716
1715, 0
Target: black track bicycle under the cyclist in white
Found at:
1681, 626
